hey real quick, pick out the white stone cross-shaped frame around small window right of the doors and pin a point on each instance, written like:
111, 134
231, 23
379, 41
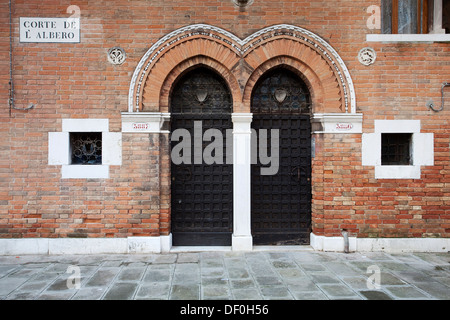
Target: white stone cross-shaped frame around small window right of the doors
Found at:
422, 149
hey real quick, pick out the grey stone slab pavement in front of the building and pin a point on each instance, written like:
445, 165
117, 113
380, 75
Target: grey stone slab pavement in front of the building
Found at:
257, 275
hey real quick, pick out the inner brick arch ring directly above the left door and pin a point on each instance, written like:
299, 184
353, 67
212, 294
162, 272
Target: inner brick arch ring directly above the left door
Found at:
192, 63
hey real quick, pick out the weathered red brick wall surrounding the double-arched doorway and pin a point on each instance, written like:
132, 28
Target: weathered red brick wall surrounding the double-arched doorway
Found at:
77, 81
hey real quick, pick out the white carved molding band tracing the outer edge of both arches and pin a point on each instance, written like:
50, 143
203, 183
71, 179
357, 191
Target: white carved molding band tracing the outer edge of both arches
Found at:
241, 48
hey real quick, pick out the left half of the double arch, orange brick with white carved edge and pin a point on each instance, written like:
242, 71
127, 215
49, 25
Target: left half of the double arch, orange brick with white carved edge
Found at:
179, 48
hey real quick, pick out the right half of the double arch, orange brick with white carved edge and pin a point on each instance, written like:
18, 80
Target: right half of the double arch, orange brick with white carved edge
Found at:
312, 51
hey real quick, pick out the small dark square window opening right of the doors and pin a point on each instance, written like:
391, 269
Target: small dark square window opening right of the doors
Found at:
396, 149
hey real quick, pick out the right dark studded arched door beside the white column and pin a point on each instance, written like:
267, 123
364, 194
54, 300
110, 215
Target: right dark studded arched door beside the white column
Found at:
281, 199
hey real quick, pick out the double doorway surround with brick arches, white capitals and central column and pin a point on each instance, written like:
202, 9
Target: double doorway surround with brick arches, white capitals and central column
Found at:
241, 62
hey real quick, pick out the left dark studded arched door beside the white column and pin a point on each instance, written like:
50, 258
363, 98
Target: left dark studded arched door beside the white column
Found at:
201, 170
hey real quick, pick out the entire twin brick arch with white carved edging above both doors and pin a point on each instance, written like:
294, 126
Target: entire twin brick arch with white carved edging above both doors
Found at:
241, 62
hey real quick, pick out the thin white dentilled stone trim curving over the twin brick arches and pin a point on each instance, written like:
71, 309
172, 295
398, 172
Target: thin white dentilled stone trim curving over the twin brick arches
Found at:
241, 47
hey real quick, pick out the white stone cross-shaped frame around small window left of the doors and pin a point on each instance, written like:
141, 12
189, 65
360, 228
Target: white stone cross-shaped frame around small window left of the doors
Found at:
59, 152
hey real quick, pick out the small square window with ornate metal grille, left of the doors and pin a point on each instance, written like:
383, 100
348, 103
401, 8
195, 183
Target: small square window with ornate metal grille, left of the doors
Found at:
86, 148
